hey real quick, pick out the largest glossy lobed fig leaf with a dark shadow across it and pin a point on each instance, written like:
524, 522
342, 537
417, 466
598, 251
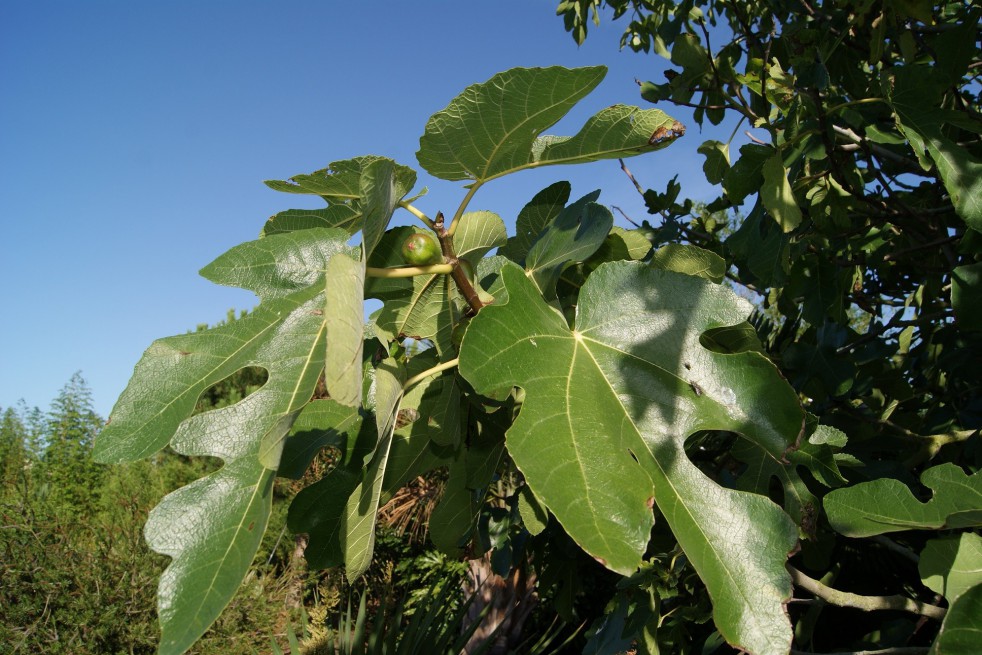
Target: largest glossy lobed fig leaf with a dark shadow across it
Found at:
608, 406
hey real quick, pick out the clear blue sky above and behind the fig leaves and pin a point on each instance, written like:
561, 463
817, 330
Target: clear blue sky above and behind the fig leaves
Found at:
134, 138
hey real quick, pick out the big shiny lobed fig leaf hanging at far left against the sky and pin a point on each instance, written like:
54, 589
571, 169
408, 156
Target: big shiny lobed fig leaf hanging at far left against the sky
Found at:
212, 527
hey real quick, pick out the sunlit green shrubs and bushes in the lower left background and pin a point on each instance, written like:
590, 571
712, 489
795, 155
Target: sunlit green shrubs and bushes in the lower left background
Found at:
79, 578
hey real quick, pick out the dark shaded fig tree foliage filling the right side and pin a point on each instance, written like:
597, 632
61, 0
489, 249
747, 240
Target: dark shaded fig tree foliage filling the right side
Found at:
859, 240
